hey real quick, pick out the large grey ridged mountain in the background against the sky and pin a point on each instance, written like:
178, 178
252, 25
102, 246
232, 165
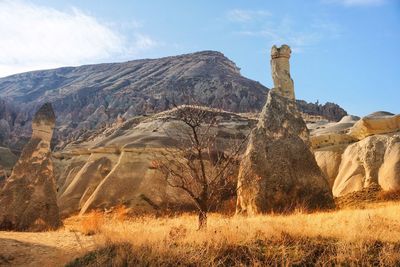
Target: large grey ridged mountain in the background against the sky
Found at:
93, 96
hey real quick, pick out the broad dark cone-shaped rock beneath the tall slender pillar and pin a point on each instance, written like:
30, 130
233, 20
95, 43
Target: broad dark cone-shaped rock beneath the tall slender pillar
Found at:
279, 171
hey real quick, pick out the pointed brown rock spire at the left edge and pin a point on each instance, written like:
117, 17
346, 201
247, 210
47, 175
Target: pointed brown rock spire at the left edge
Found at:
28, 198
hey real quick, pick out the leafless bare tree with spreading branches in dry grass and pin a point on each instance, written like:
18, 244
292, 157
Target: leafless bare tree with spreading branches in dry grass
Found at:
200, 164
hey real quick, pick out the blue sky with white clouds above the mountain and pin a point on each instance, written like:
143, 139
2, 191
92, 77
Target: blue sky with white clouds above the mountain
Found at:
344, 51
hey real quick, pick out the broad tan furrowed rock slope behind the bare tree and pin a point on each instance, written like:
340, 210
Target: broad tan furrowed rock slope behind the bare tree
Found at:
131, 147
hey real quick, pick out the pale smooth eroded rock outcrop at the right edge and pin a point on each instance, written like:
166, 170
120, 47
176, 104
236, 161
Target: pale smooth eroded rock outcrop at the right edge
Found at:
356, 154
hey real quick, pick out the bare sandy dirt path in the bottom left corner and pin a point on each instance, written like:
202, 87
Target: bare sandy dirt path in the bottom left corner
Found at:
42, 249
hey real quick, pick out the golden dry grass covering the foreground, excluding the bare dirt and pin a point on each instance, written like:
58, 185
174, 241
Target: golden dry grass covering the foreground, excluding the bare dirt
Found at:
360, 237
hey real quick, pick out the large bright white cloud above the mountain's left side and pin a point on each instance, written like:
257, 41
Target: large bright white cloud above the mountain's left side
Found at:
36, 37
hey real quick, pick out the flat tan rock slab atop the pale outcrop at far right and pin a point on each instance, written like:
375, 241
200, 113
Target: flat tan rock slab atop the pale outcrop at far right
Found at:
377, 123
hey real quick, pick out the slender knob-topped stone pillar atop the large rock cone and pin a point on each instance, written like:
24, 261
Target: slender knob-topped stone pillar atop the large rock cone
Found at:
280, 68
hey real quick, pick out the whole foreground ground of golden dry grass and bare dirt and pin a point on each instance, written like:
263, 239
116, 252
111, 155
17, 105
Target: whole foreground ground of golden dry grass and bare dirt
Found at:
368, 236
